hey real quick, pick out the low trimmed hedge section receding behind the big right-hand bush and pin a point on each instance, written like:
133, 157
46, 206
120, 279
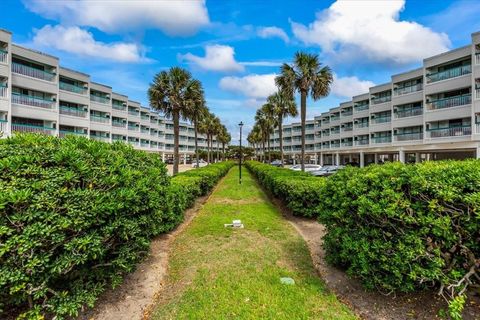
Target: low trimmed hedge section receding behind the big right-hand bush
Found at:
299, 191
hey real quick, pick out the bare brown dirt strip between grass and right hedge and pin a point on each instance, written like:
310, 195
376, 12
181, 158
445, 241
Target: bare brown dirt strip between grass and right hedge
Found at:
370, 304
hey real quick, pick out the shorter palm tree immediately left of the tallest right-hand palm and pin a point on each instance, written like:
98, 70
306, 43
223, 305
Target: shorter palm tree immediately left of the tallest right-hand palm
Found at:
283, 105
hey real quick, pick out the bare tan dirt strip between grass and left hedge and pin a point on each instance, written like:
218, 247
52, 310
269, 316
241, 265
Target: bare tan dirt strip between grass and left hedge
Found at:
134, 297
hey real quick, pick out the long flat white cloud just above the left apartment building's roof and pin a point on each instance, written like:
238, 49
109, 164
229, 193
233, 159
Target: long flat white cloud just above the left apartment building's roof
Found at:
81, 42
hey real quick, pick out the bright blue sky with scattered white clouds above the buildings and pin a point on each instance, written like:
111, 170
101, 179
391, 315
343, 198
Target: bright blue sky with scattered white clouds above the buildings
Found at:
237, 47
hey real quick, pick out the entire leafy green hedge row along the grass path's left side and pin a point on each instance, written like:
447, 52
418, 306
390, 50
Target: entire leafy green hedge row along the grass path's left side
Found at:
76, 215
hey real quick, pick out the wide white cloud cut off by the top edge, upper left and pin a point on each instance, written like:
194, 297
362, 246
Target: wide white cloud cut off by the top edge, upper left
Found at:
172, 17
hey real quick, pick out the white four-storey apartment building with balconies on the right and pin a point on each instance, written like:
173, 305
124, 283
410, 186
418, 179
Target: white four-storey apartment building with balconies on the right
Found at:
430, 113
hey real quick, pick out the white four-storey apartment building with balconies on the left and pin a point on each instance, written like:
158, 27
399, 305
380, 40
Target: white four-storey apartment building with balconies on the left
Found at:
38, 95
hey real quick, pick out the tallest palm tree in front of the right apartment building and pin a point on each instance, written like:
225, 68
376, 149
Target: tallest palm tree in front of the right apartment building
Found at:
307, 76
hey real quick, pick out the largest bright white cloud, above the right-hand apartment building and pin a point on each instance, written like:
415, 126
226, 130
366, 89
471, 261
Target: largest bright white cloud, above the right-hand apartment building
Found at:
370, 29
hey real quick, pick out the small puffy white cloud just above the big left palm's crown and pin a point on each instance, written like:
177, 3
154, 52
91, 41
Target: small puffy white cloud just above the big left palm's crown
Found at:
217, 58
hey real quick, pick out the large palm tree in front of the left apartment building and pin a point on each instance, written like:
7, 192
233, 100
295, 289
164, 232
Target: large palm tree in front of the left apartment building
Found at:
171, 92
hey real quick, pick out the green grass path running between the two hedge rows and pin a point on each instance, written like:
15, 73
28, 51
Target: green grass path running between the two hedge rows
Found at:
221, 273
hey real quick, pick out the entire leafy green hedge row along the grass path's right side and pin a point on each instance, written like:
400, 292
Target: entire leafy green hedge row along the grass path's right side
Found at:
397, 227
